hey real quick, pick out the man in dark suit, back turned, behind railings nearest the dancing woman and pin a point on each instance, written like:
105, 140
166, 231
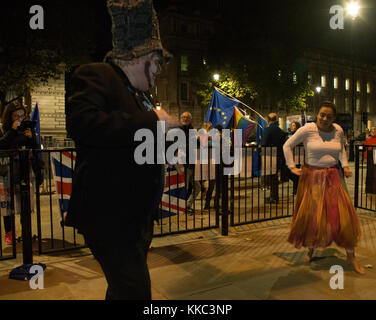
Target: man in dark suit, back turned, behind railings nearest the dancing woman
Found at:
274, 136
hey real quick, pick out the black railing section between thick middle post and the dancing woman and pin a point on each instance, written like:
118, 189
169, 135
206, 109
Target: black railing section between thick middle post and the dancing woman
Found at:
264, 189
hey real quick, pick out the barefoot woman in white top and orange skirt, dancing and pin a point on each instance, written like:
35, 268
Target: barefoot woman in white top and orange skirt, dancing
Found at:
323, 211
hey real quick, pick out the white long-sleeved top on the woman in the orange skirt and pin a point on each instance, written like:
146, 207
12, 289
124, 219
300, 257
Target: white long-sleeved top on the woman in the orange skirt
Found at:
322, 149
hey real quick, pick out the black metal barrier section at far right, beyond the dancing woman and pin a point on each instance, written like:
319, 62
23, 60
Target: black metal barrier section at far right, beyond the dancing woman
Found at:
365, 177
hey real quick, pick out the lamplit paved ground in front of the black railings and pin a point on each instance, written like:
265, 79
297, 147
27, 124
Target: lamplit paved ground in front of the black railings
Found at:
253, 262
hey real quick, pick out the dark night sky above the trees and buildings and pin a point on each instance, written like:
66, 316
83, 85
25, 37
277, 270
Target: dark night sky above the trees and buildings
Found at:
299, 23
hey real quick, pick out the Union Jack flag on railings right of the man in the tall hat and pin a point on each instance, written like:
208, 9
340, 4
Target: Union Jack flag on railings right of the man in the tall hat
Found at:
174, 195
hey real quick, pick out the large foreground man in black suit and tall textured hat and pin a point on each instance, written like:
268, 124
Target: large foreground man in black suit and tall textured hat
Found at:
115, 198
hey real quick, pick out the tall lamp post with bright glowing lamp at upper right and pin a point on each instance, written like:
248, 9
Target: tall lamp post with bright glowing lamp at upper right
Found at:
353, 10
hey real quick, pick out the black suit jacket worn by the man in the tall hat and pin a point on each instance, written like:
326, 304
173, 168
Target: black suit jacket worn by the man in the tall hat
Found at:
111, 193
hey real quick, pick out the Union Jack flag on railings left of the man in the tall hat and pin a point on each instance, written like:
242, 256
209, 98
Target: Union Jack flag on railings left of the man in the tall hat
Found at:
62, 168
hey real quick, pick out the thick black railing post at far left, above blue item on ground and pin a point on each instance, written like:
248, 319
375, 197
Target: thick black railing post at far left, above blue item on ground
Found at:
27, 249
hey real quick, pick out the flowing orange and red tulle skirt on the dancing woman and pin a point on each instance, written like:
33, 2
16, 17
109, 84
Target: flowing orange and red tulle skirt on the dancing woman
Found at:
323, 211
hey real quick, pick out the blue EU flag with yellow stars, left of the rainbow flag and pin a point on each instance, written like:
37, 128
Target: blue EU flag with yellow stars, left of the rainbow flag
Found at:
220, 110
